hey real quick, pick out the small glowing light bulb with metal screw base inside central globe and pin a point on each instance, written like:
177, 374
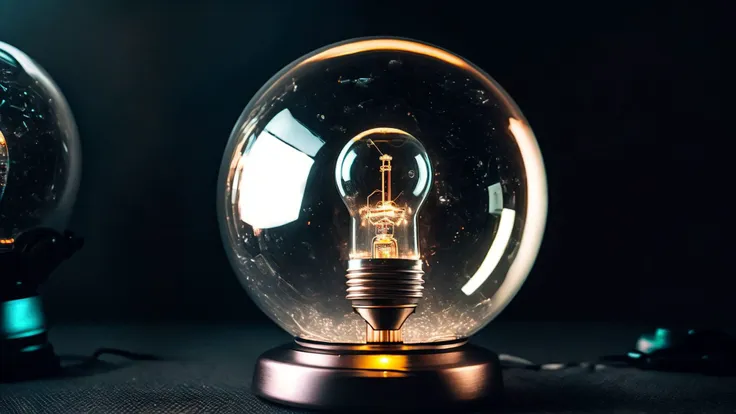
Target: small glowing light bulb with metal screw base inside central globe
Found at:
383, 176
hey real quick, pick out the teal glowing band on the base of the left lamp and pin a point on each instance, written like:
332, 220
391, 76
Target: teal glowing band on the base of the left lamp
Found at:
22, 318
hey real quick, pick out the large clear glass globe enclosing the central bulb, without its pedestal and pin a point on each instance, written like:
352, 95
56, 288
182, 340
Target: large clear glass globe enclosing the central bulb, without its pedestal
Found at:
411, 141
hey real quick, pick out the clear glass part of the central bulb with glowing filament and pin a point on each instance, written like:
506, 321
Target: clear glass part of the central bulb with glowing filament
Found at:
380, 227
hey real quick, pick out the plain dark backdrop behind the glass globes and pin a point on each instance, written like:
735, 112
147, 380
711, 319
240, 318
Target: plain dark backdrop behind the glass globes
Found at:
628, 102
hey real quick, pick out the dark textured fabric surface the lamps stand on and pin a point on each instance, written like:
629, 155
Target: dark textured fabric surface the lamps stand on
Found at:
208, 370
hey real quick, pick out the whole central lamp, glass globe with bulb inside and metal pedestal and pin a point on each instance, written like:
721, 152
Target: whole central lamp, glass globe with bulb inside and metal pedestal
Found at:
381, 200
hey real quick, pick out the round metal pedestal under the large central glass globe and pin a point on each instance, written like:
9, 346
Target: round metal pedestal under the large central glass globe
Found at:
372, 377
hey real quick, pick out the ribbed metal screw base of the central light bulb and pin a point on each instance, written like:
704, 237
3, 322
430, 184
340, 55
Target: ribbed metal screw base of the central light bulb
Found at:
384, 292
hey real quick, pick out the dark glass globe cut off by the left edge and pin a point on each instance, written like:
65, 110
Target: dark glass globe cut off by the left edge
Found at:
39, 148
